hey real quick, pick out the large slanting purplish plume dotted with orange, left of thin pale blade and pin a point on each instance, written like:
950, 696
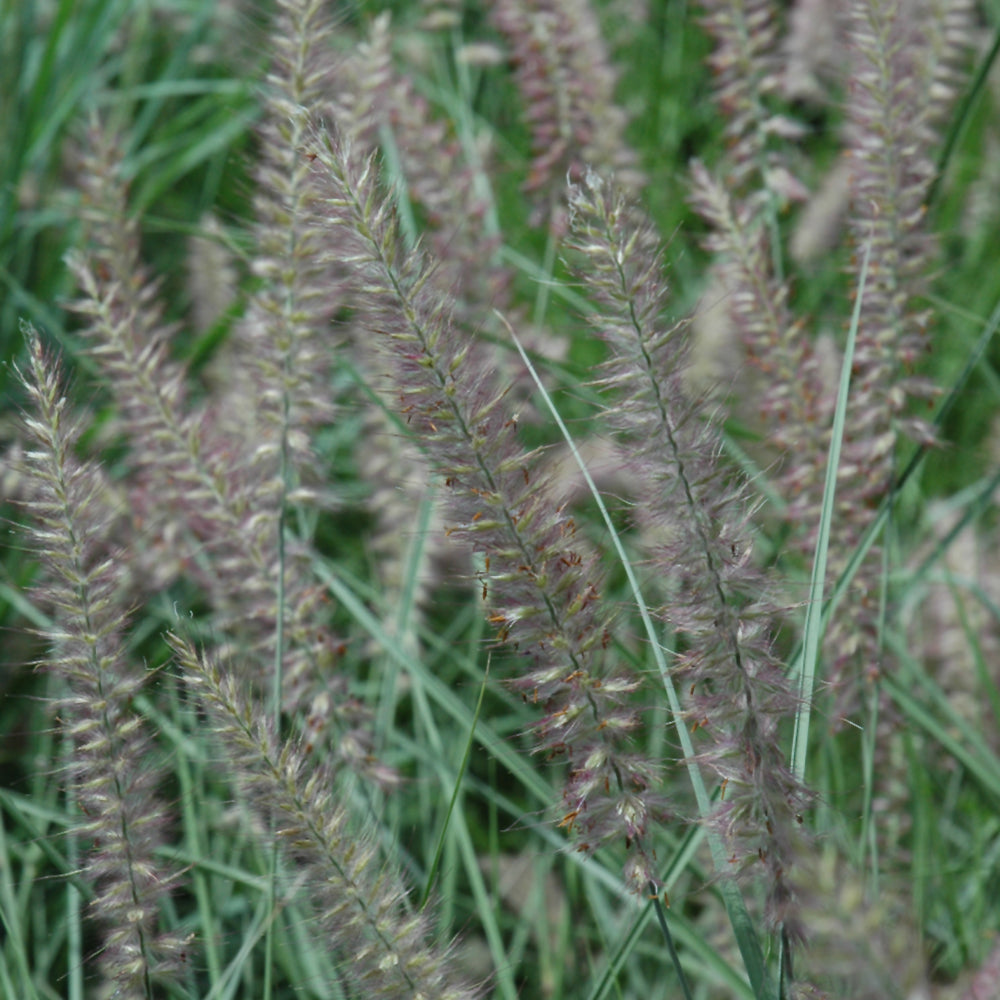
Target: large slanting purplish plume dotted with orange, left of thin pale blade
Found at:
543, 591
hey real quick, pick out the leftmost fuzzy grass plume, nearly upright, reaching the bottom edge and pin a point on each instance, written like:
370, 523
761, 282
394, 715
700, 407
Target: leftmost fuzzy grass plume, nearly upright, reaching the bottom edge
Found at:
113, 773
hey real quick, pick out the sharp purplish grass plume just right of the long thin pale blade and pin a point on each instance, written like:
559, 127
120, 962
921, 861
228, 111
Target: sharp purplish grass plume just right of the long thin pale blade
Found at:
716, 600
